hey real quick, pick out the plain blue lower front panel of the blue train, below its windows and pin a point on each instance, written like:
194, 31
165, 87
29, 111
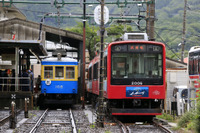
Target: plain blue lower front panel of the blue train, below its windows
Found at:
60, 87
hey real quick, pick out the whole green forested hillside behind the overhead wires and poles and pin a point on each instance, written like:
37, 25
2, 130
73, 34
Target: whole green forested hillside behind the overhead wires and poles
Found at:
168, 27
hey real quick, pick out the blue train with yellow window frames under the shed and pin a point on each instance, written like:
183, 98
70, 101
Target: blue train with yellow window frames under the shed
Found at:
59, 81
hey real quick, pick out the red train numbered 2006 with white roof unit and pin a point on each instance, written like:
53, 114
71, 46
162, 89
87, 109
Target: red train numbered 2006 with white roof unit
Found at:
134, 76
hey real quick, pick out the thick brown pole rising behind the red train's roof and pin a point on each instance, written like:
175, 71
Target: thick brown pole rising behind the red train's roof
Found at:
150, 20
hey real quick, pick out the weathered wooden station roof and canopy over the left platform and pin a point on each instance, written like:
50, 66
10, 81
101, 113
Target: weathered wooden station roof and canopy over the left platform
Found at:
24, 34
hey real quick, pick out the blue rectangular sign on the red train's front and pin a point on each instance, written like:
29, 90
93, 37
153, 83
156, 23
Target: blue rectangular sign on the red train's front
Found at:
137, 91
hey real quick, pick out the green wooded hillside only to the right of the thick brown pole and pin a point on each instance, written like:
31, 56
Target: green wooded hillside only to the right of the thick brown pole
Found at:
170, 24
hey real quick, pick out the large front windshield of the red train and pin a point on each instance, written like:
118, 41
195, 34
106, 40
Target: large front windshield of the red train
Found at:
137, 68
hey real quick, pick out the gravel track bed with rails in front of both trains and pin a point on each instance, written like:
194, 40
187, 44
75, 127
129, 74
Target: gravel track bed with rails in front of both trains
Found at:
76, 121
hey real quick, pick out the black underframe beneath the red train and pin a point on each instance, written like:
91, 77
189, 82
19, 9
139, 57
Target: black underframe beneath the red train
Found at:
148, 107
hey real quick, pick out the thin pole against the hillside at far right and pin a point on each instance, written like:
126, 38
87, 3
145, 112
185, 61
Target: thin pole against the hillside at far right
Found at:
183, 33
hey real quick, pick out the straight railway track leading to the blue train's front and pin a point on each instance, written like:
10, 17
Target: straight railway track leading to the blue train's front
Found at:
55, 121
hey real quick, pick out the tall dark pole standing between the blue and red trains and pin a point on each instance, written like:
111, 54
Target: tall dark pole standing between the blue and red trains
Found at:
100, 115
